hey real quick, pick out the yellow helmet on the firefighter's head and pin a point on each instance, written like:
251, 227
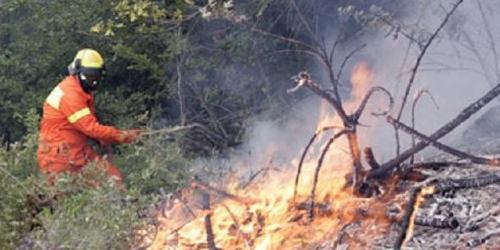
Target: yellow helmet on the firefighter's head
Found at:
88, 62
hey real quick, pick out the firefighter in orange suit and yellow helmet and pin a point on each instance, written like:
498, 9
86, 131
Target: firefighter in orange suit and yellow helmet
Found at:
69, 121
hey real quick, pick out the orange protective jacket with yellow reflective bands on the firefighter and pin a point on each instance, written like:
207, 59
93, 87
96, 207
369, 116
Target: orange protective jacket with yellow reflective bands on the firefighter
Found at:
68, 122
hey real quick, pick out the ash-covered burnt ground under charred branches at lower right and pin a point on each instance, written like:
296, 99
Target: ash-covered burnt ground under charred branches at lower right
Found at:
477, 211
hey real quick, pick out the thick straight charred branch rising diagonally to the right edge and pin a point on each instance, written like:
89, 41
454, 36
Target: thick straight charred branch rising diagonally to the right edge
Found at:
444, 130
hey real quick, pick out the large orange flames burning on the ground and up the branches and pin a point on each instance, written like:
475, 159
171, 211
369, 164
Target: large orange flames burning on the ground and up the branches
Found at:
270, 219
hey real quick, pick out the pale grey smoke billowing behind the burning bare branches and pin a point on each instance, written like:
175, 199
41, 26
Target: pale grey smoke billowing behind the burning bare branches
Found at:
451, 70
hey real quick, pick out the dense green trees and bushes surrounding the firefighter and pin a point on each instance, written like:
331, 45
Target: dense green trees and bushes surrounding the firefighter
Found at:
169, 63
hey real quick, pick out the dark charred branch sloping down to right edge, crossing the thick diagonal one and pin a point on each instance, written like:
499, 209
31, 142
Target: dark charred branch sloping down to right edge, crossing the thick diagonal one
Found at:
443, 147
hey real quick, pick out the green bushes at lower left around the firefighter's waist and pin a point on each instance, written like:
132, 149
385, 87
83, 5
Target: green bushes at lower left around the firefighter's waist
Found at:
74, 213
